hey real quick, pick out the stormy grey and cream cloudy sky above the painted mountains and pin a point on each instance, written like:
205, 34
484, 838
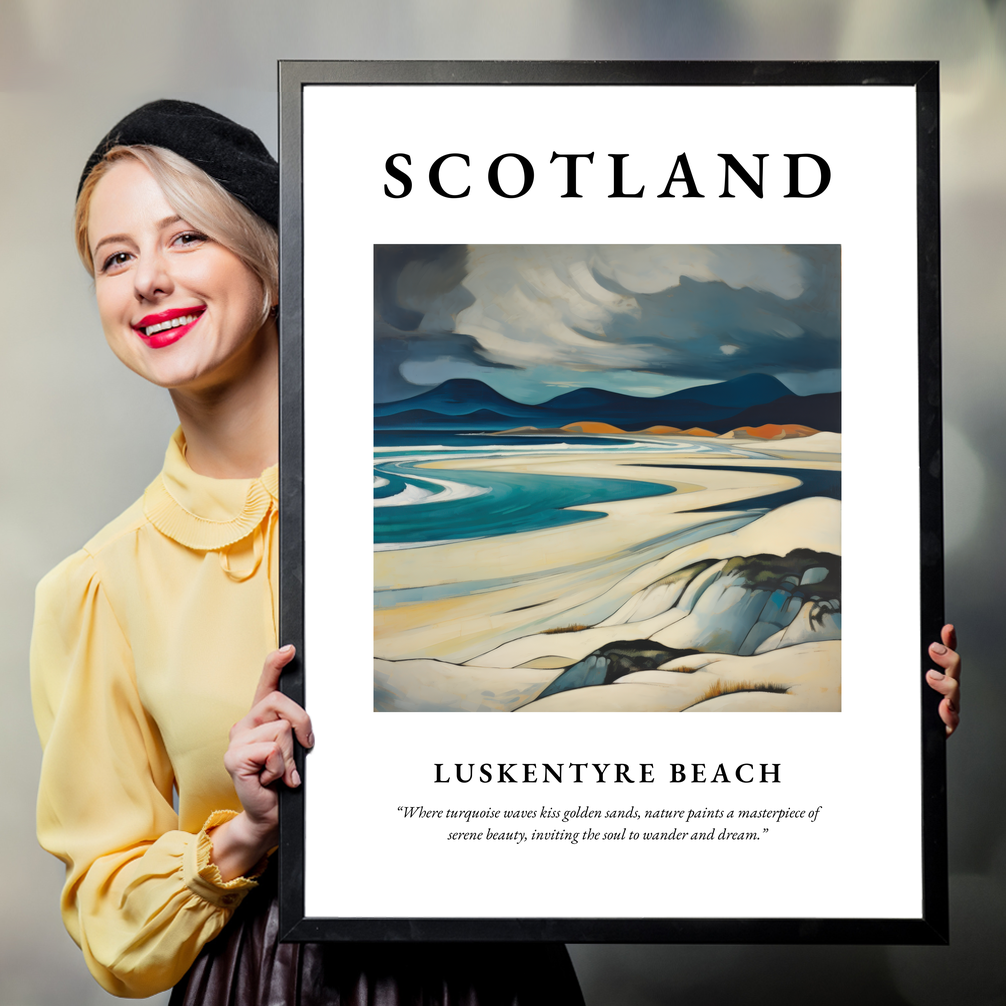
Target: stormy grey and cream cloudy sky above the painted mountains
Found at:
536, 321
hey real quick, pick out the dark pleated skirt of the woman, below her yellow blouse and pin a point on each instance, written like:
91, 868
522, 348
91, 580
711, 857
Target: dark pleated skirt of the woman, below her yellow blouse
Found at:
248, 966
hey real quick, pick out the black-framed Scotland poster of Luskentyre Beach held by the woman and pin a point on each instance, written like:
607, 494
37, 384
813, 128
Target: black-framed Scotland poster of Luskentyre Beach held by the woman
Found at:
605, 318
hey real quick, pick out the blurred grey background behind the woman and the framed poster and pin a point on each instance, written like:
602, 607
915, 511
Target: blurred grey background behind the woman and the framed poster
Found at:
82, 437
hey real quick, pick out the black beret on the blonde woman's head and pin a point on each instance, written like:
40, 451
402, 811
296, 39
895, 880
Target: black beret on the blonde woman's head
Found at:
229, 153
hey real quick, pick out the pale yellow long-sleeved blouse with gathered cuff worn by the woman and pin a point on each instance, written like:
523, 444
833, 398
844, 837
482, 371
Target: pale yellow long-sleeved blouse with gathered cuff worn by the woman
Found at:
147, 647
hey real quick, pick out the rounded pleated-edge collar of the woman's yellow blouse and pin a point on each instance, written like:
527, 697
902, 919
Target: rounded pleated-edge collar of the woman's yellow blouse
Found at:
204, 514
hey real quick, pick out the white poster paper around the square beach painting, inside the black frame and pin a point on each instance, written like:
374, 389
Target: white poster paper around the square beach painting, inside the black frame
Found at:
862, 858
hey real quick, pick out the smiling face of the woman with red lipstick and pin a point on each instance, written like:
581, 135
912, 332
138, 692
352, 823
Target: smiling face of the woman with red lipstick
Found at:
178, 308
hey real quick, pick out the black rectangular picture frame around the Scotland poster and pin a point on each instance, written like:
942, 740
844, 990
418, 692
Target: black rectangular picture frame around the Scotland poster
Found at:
932, 926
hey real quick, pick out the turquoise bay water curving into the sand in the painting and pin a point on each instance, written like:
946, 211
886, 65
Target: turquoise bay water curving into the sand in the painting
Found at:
510, 502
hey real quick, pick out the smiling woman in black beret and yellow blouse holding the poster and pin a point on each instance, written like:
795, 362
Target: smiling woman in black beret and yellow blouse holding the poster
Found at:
148, 643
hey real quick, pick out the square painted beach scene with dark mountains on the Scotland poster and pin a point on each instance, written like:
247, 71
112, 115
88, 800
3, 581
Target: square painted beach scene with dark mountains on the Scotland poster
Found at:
607, 478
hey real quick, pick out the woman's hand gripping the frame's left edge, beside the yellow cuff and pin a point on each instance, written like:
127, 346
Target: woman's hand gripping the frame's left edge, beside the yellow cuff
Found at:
261, 753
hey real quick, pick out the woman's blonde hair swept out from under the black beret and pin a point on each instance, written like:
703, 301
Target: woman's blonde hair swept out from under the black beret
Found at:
201, 202
